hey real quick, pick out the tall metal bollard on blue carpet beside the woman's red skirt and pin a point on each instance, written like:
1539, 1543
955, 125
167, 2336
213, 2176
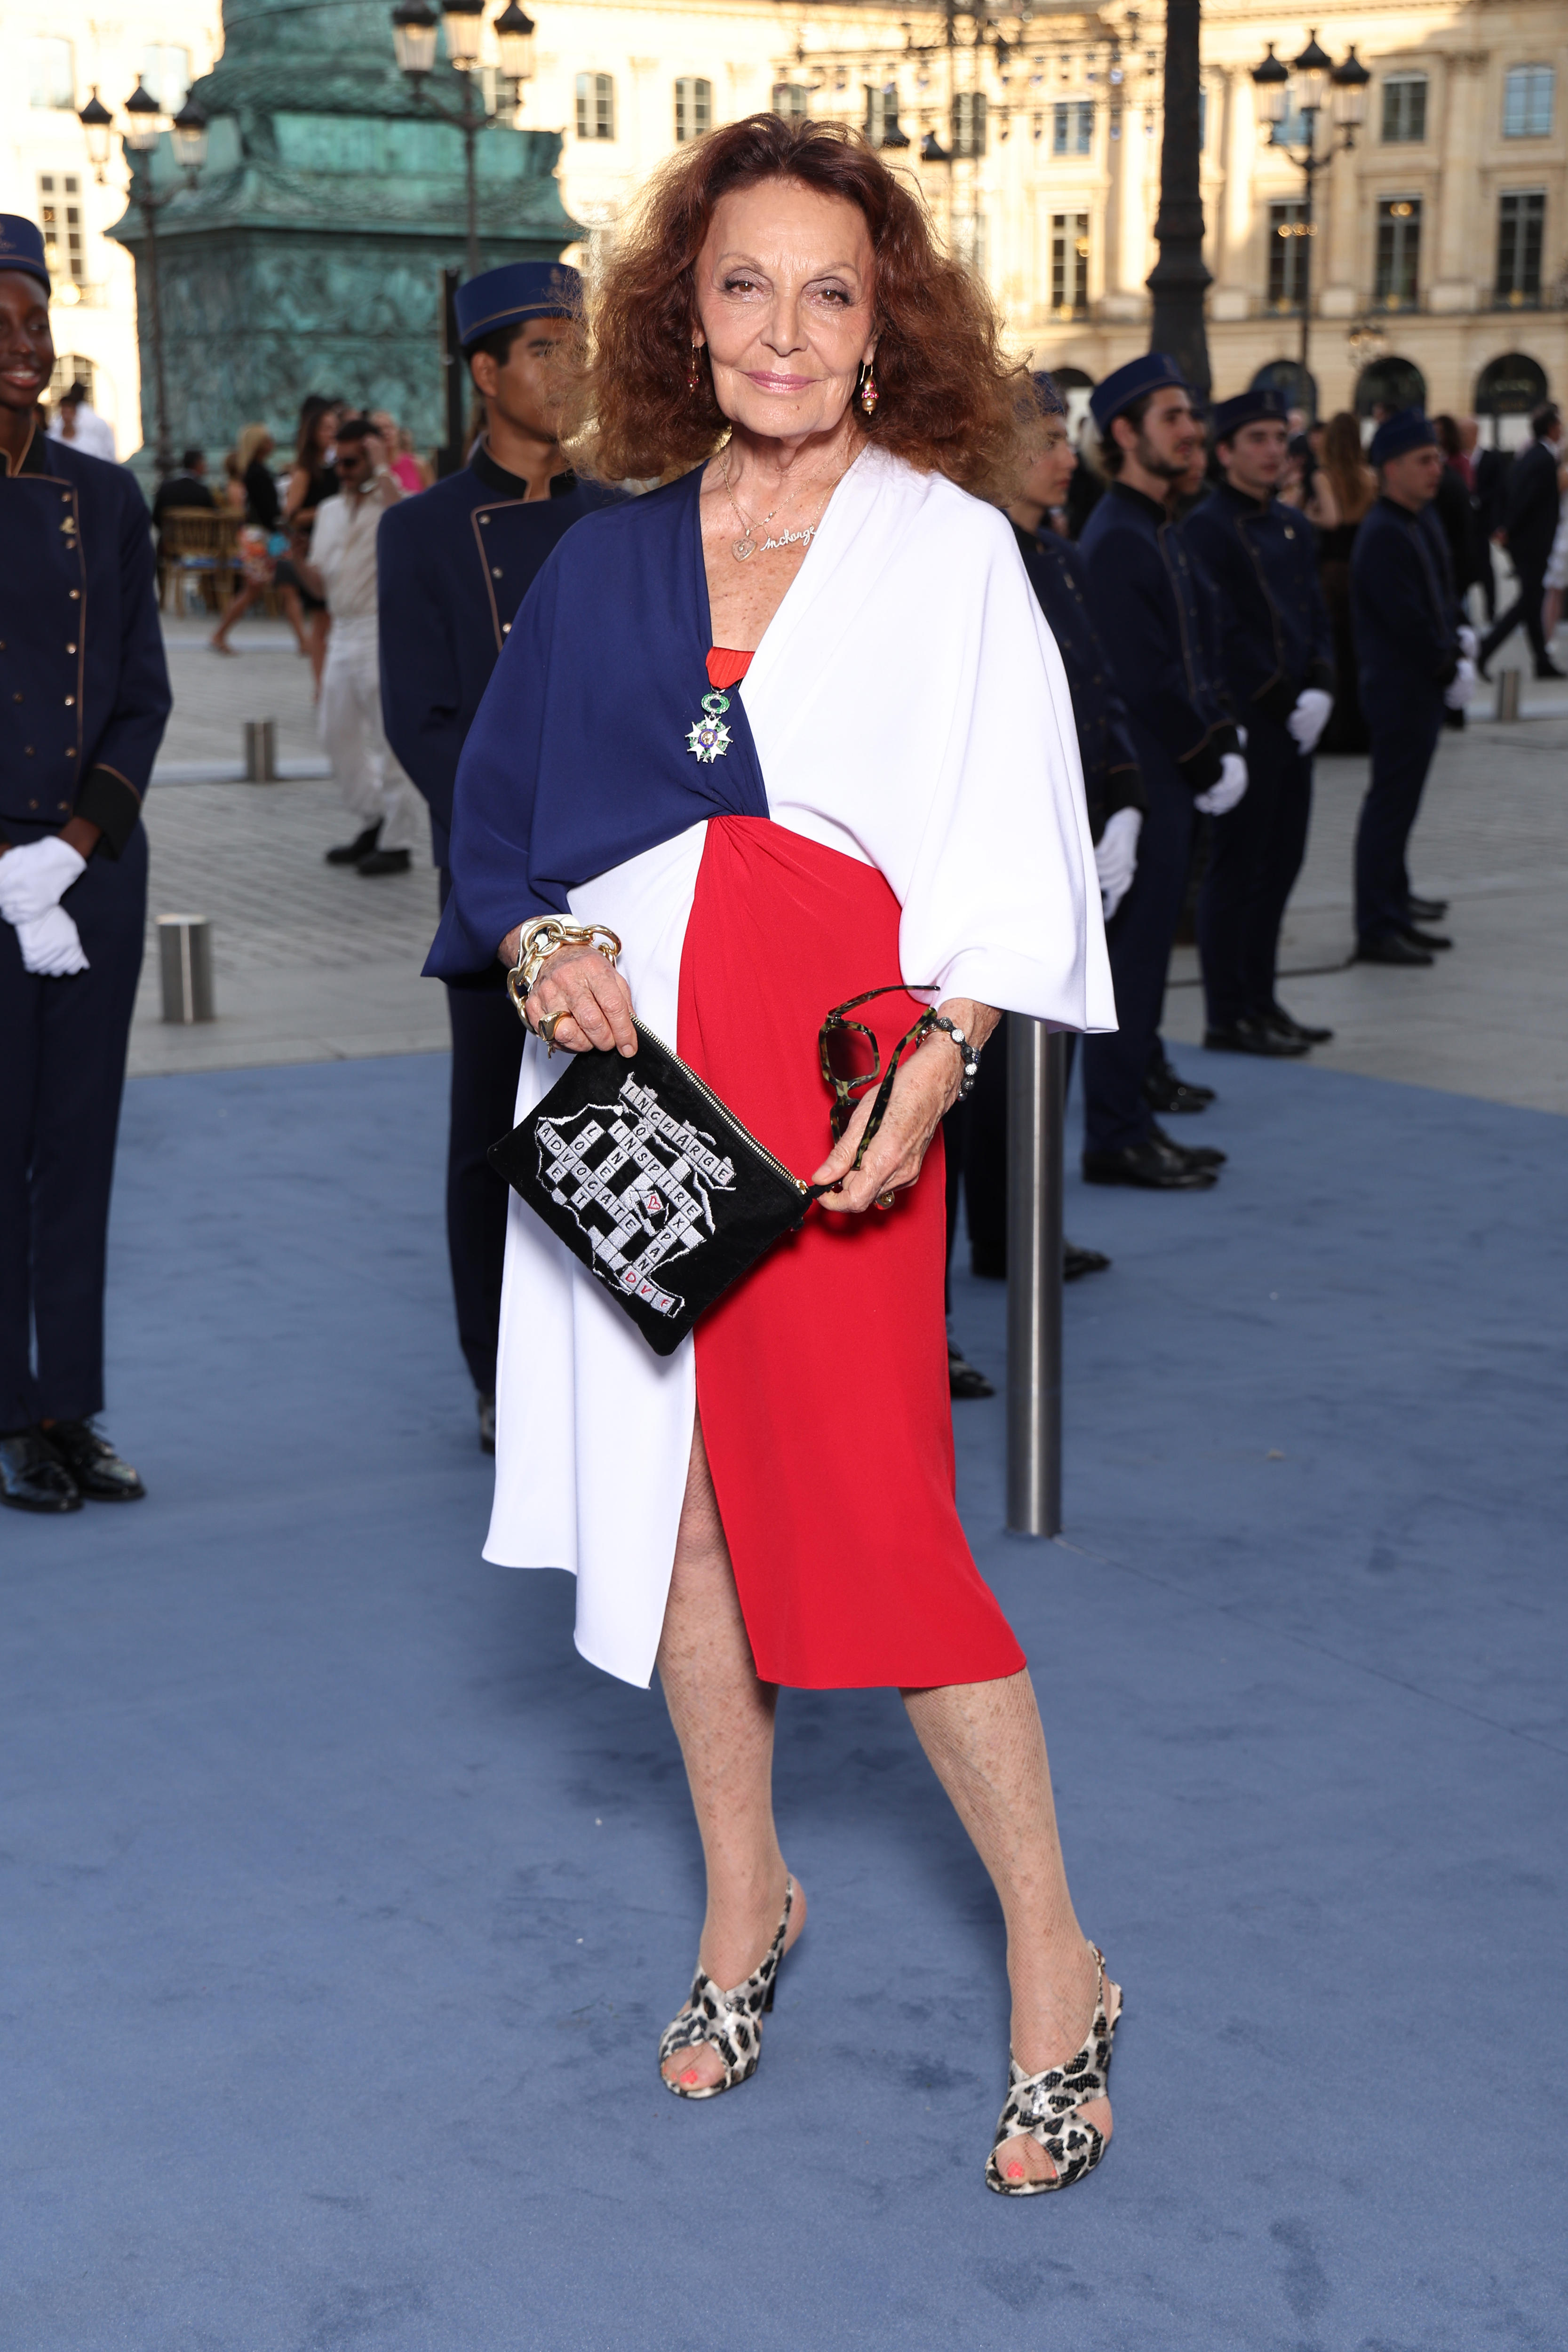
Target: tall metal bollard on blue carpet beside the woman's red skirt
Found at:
1036, 1071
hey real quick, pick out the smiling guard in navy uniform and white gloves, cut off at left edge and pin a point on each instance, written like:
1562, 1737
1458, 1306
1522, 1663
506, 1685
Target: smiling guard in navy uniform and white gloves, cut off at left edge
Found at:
83, 704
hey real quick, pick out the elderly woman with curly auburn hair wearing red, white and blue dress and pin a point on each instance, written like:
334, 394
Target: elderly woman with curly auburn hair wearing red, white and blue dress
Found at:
793, 730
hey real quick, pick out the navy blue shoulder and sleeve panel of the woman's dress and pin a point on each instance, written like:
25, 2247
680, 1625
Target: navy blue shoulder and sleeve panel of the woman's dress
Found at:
579, 754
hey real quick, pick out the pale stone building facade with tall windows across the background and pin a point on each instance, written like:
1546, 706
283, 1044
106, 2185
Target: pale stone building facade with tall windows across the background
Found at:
1440, 248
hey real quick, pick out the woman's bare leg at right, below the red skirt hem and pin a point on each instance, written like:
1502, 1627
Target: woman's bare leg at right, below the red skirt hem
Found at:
989, 1749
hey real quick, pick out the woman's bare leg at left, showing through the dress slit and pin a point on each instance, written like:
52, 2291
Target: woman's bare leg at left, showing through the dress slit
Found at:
723, 1718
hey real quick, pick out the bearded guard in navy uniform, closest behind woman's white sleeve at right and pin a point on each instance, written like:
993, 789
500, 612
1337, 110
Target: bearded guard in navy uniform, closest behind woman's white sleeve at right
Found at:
1146, 608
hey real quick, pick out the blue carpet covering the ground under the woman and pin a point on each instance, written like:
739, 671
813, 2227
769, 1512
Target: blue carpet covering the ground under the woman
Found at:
342, 1904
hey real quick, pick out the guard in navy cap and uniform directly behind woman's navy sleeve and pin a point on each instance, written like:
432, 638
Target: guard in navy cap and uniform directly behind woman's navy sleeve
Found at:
455, 563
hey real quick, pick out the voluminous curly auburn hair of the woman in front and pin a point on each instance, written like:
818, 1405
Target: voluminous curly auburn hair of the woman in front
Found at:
951, 401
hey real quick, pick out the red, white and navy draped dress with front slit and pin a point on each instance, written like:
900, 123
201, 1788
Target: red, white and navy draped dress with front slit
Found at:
899, 799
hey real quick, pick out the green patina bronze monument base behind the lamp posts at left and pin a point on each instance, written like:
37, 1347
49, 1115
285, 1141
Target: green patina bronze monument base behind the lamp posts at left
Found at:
309, 258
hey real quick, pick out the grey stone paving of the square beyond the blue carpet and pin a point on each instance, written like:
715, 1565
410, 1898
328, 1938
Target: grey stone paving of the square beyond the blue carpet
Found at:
314, 965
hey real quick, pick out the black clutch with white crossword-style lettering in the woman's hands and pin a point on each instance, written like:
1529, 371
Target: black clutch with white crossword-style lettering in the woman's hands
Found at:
652, 1184
